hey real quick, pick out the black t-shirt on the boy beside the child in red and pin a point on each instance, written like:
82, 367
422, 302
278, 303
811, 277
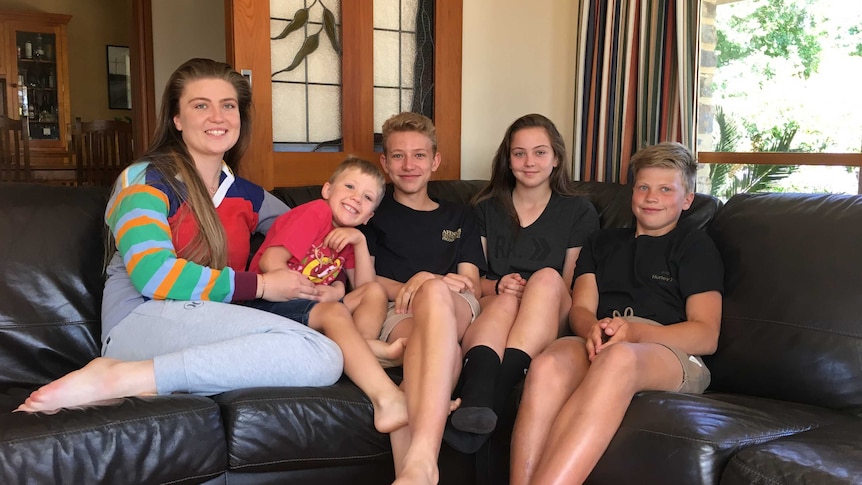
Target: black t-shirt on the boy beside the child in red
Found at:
404, 241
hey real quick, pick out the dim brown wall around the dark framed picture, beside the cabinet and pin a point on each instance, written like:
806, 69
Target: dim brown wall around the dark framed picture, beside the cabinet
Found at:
94, 25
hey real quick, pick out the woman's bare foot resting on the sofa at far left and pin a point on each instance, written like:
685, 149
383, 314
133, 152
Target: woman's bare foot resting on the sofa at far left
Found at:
102, 379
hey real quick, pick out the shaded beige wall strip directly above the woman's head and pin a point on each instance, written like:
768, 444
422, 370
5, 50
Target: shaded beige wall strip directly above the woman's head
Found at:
183, 30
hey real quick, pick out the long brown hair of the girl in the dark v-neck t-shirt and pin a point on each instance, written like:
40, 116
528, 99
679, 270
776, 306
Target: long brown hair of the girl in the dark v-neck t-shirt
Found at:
503, 180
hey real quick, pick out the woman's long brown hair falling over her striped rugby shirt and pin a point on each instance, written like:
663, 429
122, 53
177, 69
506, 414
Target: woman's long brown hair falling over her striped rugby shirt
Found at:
168, 154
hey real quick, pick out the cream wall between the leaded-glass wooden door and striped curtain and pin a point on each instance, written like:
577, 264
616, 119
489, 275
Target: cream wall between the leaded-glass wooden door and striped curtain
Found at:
519, 58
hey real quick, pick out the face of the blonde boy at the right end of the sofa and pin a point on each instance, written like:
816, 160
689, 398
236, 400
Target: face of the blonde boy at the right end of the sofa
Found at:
658, 199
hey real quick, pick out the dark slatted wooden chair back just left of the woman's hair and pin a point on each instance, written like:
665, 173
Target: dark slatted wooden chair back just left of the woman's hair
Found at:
102, 148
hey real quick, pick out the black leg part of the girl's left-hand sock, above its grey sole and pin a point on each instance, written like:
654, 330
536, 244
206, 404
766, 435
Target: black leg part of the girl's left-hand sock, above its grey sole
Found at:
478, 377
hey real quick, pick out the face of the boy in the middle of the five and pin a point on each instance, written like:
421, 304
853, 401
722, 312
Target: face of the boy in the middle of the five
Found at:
409, 161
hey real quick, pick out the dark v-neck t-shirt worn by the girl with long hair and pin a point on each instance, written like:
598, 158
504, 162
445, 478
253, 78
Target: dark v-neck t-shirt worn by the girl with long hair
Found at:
565, 223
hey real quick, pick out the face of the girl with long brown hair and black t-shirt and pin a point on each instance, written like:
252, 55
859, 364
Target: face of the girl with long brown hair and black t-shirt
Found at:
531, 157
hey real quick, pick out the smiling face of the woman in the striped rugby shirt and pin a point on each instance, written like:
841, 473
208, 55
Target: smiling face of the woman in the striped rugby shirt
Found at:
208, 118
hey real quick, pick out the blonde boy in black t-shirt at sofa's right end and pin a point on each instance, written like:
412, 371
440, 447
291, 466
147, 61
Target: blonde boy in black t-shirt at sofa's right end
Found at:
646, 303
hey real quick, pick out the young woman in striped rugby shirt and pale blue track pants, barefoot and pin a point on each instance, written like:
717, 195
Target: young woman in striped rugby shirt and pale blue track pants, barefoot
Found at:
180, 222
